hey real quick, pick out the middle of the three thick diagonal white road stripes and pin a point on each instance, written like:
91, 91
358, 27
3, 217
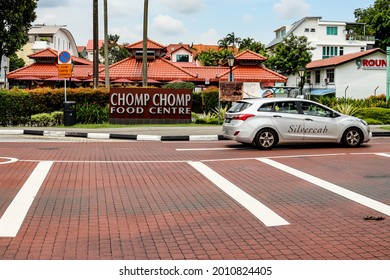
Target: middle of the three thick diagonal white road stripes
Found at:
262, 212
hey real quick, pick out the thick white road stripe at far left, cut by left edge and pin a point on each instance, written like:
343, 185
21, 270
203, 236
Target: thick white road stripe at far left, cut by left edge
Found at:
13, 217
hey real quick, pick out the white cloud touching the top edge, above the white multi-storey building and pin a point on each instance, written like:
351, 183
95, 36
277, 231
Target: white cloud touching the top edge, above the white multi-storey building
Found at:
288, 9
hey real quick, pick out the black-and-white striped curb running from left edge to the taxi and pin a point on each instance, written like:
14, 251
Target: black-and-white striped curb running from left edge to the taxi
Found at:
114, 136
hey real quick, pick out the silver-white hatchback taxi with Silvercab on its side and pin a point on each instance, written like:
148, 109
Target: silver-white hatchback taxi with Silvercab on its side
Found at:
266, 122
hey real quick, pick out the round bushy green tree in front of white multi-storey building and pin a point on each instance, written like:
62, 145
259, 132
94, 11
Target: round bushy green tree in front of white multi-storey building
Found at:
290, 55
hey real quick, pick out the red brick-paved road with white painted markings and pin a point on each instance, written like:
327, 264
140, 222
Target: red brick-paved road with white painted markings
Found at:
71, 198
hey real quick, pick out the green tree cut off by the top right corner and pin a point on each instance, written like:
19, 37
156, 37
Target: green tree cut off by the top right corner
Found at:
377, 18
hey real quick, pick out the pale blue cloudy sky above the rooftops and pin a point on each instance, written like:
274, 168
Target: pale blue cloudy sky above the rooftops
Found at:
191, 21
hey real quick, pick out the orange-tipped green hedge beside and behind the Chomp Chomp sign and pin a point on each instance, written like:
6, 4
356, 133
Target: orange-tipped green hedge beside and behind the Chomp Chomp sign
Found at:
17, 106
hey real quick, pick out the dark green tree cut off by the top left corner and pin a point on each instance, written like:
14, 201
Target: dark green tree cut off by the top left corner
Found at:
16, 17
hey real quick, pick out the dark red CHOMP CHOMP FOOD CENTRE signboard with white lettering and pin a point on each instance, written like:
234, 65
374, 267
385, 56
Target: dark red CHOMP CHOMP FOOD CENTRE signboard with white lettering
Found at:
150, 105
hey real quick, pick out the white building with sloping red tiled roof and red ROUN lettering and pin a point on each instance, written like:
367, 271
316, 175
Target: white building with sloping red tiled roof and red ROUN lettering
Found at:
357, 75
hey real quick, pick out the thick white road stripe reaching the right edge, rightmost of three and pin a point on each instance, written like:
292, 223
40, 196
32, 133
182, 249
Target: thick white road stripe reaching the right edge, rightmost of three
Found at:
368, 202
